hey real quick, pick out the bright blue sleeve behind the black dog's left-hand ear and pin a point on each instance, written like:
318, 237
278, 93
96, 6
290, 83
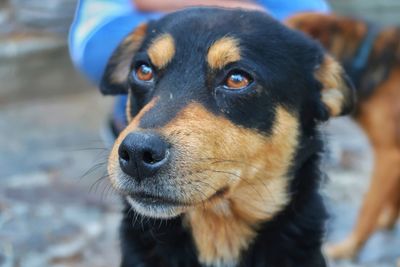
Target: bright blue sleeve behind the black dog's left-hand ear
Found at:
98, 28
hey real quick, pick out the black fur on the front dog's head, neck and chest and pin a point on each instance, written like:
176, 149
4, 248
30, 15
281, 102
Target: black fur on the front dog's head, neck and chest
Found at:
282, 63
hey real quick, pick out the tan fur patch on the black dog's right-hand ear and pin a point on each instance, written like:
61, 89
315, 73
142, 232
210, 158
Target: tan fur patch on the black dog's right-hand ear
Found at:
333, 93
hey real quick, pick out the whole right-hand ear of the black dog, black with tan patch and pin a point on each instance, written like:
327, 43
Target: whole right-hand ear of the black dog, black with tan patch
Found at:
337, 93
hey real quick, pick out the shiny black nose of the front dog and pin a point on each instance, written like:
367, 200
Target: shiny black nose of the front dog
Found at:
141, 155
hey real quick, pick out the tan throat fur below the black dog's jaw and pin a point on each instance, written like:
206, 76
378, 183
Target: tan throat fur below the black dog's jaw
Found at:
226, 227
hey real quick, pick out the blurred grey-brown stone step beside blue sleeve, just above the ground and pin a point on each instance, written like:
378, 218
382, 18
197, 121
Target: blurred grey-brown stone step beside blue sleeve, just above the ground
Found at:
36, 66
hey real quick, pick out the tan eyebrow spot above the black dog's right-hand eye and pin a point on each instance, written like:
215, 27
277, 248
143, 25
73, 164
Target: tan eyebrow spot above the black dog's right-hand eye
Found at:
223, 52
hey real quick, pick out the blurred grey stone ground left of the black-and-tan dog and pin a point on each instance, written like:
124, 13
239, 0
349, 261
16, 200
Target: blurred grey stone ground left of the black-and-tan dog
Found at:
50, 215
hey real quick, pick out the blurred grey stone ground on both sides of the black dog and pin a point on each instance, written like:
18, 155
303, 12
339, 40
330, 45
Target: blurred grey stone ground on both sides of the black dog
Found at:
55, 212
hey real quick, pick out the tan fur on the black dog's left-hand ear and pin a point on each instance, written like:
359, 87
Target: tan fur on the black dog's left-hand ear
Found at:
128, 47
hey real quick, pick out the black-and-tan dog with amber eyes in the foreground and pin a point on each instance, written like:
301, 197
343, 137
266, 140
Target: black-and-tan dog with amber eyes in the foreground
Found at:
219, 163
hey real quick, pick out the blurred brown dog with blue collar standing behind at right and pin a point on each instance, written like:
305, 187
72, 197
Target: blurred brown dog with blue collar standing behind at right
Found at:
371, 56
